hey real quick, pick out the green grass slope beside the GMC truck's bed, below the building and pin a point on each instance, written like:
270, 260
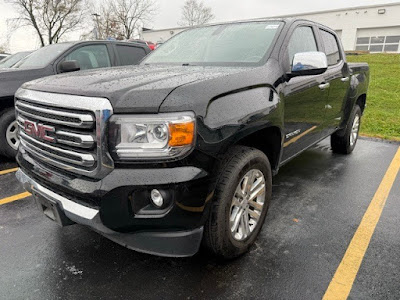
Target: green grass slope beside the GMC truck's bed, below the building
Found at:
382, 115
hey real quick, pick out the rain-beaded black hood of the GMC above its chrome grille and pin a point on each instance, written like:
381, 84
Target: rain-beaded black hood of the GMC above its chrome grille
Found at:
130, 89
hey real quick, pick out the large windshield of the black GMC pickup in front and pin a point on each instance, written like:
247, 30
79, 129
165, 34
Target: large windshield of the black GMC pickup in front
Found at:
218, 45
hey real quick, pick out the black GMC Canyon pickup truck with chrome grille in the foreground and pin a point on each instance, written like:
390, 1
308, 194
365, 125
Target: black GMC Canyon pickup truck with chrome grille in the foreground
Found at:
180, 151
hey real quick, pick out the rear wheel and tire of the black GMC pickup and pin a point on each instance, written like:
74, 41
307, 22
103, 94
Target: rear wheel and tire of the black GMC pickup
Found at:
345, 143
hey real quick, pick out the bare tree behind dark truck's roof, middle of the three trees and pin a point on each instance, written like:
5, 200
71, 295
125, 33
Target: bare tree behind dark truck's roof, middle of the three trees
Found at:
126, 16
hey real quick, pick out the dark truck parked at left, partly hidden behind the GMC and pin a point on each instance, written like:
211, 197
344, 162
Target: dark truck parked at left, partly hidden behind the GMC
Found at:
55, 59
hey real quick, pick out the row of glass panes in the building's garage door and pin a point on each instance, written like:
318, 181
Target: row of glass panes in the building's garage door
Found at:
378, 43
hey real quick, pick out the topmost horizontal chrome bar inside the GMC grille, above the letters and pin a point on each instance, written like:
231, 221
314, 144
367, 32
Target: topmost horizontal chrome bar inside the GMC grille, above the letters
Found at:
85, 120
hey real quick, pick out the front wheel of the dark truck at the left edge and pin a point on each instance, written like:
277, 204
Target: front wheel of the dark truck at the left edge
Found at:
8, 126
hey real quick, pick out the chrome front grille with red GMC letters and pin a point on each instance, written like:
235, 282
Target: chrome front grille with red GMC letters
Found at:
64, 131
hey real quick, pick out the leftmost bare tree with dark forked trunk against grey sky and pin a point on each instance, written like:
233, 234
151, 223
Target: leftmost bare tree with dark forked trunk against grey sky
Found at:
51, 19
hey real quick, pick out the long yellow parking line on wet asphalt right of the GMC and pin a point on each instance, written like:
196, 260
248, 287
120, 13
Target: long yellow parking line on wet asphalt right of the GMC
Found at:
342, 282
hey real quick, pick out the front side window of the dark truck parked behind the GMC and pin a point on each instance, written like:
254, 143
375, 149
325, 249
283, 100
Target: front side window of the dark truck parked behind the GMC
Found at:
90, 57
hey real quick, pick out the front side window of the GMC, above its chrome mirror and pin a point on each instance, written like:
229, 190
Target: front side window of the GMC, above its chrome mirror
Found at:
302, 40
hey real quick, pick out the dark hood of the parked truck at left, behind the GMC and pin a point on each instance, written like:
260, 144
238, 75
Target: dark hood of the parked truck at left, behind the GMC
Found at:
11, 79
